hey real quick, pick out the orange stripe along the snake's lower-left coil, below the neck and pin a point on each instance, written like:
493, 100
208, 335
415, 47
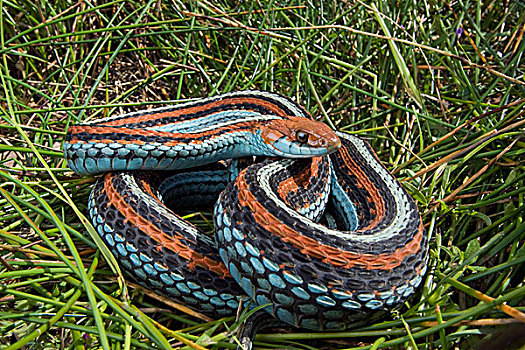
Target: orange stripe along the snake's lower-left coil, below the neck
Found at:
164, 240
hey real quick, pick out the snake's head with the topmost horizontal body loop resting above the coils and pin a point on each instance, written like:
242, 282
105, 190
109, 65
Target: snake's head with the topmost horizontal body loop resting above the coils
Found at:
198, 133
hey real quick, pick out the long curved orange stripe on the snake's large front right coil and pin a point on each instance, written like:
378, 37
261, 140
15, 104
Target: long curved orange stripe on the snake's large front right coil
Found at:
311, 247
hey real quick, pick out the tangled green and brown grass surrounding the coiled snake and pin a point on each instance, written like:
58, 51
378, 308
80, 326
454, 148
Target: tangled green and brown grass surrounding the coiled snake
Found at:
437, 87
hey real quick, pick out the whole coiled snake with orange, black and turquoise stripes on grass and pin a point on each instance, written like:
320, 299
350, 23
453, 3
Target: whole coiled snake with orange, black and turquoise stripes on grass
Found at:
309, 224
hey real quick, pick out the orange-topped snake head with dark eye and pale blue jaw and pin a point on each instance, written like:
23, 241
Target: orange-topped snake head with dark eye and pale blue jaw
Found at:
299, 137
